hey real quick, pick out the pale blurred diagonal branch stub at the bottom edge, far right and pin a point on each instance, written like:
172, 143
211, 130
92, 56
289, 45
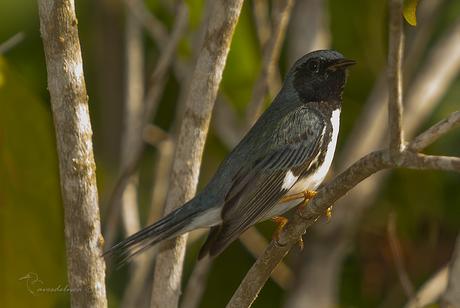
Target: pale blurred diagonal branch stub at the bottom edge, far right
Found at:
431, 290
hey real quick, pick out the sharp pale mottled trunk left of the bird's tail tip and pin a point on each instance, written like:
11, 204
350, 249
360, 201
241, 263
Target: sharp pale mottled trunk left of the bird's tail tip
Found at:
69, 102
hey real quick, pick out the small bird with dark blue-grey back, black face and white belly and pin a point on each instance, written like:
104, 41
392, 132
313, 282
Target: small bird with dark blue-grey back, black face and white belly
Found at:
286, 153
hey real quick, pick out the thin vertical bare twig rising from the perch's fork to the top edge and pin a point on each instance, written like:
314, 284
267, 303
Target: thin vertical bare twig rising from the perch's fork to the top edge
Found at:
395, 54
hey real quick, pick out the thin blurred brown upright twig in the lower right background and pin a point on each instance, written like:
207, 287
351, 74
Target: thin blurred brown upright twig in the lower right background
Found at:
395, 248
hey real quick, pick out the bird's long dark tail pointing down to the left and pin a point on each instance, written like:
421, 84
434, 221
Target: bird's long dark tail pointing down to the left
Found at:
175, 223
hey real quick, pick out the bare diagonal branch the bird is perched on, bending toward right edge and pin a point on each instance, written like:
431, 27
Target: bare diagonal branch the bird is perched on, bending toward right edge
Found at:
256, 277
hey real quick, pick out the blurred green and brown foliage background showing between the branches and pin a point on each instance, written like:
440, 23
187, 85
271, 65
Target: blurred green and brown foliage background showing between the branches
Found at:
426, 204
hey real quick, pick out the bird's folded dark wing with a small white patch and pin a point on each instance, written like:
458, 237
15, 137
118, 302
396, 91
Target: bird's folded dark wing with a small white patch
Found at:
289, 151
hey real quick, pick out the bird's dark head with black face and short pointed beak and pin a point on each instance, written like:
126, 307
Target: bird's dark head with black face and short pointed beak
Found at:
319, 76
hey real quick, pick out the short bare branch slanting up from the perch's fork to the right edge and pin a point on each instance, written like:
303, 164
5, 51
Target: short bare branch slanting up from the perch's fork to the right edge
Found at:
435, 132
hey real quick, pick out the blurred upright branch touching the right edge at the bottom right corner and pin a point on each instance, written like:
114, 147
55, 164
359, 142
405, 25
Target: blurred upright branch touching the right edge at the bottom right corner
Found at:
451, 296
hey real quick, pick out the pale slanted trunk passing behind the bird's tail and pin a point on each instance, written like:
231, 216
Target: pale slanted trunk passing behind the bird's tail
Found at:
190, 145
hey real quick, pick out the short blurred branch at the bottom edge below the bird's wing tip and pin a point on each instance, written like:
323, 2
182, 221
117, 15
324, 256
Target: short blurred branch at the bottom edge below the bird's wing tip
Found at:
196, 284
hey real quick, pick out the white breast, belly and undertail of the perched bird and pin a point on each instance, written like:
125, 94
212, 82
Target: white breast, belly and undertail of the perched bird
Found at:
313, 180
